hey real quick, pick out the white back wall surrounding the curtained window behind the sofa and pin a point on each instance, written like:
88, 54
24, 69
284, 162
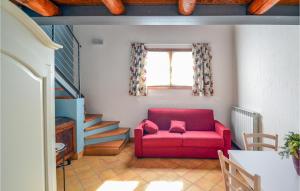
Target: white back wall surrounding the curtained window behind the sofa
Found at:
105, 70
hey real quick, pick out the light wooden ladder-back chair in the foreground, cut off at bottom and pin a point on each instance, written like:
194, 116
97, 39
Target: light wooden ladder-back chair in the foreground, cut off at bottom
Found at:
236, 178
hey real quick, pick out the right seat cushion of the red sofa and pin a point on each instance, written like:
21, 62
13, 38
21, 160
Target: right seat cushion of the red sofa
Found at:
208, 139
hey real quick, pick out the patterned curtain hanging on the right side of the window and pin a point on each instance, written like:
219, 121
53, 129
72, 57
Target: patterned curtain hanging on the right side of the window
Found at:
203, 84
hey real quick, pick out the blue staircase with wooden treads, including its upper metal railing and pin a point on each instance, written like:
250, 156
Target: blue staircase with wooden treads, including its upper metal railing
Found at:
93, 135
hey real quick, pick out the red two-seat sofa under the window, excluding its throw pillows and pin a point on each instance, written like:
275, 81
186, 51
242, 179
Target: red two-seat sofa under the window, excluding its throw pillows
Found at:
203, 136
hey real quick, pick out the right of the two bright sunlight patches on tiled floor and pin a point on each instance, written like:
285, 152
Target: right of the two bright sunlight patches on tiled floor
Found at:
165, 185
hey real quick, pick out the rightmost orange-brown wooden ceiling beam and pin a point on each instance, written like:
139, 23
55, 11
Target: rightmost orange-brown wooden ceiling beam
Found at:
259, 7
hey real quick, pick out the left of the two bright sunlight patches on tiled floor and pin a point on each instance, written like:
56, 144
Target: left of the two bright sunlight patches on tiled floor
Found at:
118, 185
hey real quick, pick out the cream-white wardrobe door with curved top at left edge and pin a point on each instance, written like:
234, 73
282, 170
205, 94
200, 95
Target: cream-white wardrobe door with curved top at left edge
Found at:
22, 123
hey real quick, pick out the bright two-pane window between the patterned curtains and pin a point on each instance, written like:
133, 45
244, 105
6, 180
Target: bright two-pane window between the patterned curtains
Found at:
169, 68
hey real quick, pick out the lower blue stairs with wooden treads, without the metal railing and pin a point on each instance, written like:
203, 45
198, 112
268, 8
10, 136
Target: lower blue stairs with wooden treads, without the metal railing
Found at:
94, 136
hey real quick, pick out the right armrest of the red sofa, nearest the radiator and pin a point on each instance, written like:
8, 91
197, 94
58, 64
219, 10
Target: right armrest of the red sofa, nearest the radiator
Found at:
226, 134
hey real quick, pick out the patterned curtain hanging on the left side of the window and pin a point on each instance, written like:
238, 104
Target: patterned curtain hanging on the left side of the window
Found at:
137, 85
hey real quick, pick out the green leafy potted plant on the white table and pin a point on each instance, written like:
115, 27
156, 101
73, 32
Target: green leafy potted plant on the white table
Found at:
292, 147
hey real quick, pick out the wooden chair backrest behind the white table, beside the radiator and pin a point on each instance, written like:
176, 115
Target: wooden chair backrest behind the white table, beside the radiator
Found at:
260, 143
